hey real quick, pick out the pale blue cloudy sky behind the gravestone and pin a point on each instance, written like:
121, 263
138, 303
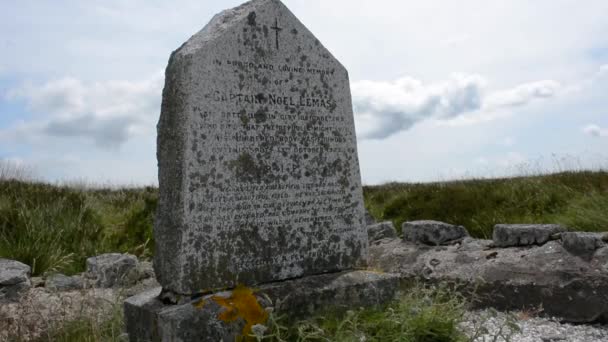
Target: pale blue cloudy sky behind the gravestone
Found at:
441, 89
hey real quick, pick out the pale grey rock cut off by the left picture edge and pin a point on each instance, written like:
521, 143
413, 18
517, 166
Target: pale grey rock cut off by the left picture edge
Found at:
14, 279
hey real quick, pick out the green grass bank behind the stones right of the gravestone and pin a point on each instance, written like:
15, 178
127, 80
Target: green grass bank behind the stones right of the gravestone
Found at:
578, 200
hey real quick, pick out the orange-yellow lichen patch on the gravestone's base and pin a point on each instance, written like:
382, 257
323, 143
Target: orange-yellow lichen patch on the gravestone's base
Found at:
242, 303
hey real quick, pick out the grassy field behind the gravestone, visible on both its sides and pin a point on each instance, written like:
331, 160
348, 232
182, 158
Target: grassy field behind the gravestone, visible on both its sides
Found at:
55, 228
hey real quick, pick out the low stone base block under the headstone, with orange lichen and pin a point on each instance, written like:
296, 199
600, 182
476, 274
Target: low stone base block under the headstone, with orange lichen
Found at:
227, 315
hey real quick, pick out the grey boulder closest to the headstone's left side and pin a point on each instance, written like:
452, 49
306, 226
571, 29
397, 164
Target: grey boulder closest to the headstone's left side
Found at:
111, 270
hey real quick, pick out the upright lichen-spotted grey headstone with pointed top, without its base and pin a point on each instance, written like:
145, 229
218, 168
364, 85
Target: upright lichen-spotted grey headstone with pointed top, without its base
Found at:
258, 169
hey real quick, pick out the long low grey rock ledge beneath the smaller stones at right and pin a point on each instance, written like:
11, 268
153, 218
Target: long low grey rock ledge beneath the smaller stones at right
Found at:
516, 278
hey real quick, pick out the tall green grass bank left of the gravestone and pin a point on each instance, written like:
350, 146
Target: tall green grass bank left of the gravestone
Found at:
55, 228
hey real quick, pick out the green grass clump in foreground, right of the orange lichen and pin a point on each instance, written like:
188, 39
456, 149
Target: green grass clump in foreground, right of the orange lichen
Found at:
421, 314
